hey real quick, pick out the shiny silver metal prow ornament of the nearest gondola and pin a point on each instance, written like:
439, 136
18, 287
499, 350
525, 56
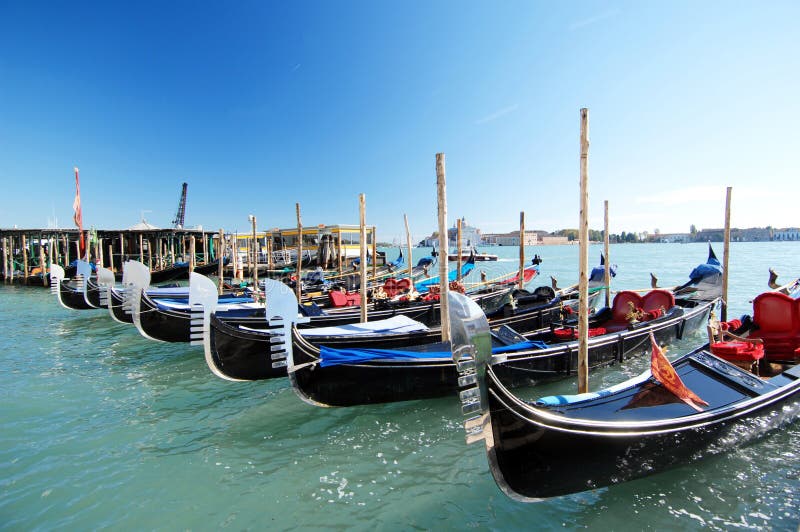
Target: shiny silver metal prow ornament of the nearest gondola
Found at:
471, 346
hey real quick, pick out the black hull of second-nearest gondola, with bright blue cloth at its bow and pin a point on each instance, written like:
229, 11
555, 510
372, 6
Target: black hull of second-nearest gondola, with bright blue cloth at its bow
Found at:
383, 381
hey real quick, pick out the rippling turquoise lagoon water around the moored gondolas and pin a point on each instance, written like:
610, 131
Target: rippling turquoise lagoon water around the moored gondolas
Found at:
103, 428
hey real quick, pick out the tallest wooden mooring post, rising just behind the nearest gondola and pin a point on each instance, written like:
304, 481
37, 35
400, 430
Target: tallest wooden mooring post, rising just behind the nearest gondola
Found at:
583, 252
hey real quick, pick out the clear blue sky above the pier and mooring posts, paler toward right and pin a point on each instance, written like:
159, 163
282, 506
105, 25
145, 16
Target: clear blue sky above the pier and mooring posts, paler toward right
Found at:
259, 105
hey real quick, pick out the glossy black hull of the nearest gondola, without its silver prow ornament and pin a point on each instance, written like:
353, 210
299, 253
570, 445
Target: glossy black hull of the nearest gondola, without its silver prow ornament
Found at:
534, 456
